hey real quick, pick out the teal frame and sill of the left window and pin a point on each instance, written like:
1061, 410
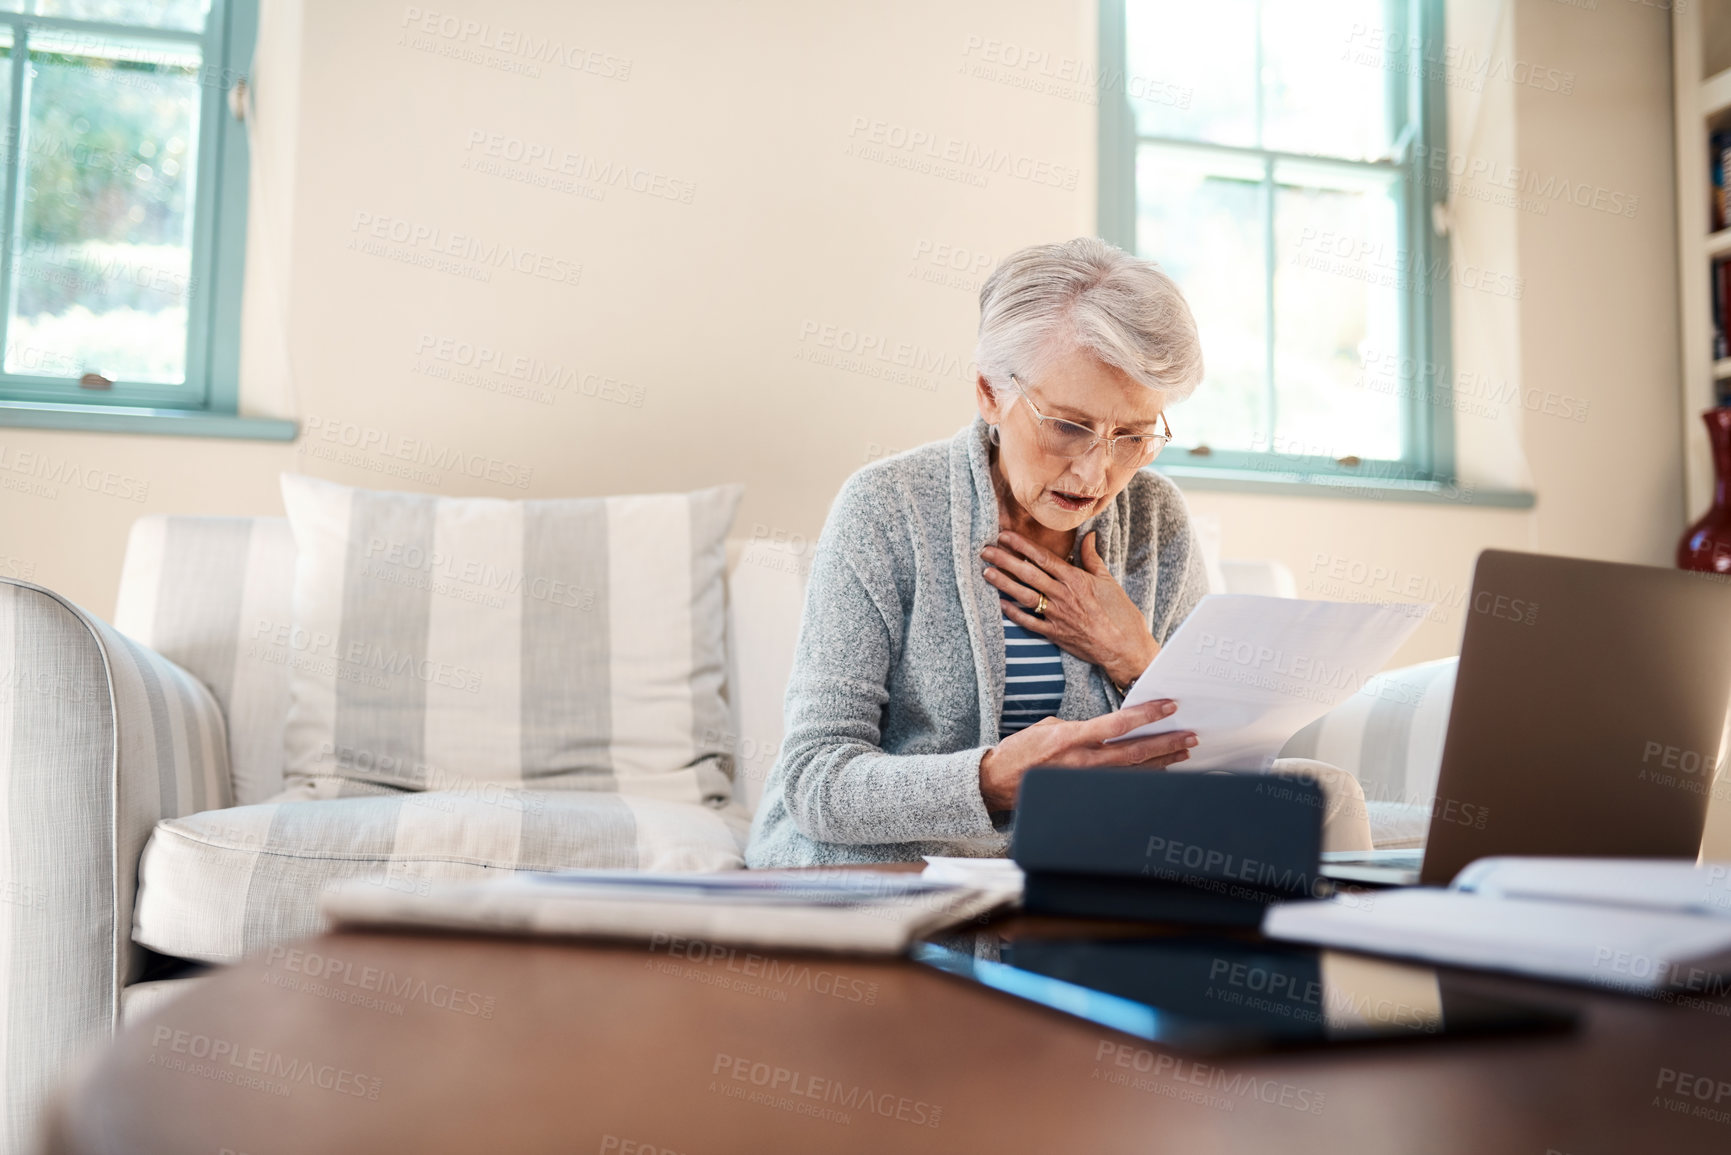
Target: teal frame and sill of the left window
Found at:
209, 401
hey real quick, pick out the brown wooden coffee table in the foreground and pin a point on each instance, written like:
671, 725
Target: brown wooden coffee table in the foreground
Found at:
380, 1043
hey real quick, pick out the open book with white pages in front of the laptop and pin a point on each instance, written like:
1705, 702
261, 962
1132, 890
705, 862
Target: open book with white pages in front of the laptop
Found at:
1630, 926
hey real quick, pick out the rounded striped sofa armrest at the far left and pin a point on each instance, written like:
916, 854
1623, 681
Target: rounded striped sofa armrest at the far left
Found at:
100, 739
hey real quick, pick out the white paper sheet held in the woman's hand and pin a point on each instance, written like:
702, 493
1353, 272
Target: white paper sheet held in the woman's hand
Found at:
1251, 673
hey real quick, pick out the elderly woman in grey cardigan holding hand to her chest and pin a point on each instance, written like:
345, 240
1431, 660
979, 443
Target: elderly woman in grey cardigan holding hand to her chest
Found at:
981, 607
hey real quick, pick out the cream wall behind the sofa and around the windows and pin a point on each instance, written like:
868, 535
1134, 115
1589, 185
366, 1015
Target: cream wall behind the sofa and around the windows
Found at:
693, 345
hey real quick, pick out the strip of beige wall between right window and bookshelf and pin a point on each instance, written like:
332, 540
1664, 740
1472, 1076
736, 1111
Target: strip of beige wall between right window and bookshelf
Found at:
1600, 314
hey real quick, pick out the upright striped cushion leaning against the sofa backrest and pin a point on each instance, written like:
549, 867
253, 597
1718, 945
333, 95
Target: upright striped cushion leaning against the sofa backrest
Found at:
572, 645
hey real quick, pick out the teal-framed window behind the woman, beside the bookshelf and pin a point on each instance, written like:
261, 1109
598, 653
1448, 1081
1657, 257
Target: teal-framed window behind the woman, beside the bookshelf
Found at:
1270, 157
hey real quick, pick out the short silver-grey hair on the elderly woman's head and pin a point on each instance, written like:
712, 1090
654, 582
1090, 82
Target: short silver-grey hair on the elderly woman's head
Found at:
1088, 295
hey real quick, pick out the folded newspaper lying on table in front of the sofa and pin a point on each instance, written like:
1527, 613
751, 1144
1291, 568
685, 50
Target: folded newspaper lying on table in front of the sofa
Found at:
813, 910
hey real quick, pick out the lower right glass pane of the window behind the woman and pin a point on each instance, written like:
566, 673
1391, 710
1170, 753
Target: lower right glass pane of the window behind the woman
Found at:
1337, 300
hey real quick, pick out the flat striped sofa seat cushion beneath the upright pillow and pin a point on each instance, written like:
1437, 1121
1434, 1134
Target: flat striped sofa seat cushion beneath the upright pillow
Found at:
221, 884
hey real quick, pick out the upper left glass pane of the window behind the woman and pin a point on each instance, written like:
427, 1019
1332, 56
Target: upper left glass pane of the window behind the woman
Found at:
1192, 70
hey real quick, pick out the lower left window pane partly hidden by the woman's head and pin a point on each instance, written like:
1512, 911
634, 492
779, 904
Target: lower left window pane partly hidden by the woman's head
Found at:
1197, 216
